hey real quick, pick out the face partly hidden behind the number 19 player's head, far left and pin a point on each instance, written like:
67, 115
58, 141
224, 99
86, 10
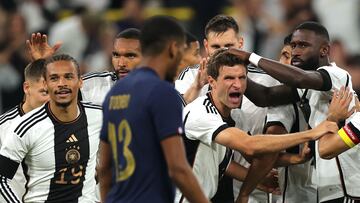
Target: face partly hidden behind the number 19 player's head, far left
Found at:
36, 93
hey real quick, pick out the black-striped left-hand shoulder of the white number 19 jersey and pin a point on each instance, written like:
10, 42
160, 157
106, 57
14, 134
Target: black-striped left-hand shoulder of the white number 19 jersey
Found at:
33, 118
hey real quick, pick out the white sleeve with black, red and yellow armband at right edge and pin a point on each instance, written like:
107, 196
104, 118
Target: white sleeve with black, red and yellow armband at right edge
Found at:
350, 133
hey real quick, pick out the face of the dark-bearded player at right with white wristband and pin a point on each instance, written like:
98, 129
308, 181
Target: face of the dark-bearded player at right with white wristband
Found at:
305, 45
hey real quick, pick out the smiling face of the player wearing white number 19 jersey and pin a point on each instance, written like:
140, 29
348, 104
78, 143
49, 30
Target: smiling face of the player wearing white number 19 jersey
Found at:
63, 83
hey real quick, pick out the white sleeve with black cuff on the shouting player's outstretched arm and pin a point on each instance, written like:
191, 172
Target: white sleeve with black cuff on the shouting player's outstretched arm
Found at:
203, 126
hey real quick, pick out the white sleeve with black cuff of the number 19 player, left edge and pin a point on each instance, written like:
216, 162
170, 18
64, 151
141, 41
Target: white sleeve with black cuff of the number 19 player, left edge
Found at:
12, 152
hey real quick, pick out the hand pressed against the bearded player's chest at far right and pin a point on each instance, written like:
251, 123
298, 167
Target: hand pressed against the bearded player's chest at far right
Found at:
338, 109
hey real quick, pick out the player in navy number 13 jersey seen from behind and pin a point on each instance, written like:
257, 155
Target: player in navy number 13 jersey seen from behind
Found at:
140, 148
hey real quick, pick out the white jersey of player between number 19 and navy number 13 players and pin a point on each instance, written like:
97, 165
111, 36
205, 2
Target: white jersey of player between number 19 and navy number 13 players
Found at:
96, 86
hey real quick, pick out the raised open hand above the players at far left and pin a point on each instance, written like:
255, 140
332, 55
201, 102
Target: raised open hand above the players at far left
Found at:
38, 46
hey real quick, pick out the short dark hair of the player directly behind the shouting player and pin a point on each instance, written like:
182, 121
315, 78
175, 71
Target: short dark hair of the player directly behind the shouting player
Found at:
220, 24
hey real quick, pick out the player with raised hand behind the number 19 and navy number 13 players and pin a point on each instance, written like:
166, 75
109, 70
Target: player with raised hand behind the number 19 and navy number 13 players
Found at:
126, 55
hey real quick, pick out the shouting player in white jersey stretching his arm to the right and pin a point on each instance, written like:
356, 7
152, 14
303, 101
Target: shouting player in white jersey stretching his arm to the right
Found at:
210, 135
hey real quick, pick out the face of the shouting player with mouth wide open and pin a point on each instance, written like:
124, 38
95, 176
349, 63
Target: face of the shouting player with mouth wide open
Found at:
229, 87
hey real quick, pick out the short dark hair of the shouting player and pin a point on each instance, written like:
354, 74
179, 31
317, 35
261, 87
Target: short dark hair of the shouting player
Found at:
220, 58
